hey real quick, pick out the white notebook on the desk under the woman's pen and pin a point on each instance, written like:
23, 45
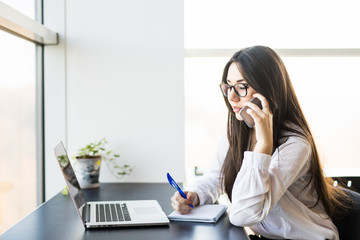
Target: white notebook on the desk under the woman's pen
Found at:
205, 213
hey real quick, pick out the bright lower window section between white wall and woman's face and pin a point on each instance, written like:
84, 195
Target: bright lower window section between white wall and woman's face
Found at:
205, 111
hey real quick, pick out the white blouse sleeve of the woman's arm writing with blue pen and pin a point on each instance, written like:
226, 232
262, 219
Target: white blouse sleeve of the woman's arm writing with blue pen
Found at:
209, 187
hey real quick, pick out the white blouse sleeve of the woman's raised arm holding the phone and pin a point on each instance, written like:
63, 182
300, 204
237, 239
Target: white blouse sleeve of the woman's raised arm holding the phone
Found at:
263, 179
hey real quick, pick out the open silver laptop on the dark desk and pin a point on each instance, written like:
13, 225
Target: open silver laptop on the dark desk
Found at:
97, 214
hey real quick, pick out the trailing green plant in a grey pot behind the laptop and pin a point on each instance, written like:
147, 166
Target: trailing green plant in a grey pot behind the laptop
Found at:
88, 162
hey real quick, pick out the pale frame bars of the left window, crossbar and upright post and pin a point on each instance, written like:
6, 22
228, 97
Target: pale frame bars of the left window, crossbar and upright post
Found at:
20, 25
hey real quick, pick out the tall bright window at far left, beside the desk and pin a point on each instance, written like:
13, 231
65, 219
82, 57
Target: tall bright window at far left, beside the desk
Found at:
21, 112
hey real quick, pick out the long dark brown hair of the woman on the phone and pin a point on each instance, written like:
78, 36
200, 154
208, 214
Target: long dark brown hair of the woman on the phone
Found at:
265, 72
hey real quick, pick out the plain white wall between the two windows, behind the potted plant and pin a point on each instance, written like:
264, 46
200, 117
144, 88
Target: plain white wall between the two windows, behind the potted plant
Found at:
123, 81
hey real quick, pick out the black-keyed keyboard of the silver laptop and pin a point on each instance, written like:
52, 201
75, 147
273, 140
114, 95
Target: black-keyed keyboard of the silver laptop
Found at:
112, 212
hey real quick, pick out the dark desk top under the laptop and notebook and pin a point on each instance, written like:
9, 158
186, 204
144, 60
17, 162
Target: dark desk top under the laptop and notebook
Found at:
58, 219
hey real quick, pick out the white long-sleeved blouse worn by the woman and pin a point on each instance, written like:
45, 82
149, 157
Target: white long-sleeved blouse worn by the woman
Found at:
271, 194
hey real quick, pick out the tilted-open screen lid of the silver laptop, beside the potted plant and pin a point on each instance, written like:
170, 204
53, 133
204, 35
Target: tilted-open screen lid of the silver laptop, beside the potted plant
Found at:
70, 177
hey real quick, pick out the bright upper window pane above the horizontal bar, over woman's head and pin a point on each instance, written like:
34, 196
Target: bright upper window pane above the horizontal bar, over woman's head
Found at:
277, 24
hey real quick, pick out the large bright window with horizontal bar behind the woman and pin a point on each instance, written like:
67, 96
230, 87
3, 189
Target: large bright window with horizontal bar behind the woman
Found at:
320, 49
